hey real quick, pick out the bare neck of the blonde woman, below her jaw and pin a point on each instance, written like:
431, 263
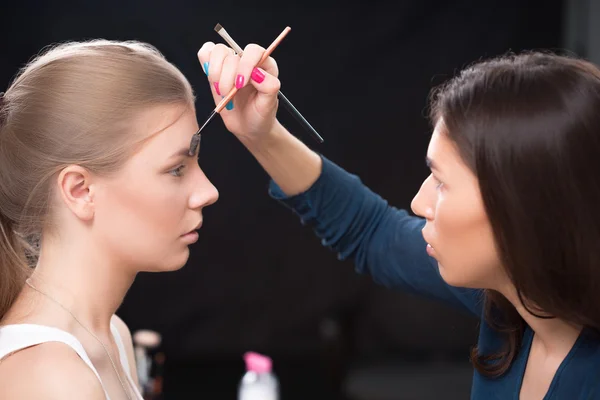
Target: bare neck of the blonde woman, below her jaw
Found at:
83, 280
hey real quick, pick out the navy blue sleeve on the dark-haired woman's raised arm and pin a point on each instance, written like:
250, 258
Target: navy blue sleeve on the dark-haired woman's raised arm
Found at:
384, 242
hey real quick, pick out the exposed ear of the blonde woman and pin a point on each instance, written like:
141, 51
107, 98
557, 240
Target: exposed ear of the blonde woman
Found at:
76, 191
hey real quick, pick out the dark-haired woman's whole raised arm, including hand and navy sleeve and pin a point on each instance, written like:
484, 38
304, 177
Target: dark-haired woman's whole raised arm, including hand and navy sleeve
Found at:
349, 218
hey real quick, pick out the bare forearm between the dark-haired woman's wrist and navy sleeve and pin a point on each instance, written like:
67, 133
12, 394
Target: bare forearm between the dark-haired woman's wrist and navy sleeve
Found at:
288, 161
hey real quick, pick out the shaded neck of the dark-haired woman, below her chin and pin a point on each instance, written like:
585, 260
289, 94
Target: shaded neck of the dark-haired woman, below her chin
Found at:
557, 336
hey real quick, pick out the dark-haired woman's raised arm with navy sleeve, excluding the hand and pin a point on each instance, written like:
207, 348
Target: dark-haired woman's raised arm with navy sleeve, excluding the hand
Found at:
384, 242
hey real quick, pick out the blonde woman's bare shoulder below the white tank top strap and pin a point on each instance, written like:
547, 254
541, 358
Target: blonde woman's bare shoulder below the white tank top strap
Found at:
50, 371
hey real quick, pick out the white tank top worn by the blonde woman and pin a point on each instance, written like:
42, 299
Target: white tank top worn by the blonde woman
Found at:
20, 336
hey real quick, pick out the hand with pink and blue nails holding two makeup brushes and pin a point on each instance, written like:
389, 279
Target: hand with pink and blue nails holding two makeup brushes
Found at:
253, 112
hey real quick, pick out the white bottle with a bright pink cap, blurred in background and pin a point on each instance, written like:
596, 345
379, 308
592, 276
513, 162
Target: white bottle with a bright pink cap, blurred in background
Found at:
259, 382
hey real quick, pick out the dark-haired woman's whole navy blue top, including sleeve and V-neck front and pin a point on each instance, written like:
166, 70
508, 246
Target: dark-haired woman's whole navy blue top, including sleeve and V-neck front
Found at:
387, 244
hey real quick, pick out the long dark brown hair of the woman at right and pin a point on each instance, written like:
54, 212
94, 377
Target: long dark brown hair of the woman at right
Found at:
528, 126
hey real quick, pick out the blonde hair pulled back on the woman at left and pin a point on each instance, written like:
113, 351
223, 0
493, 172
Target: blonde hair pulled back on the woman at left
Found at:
72, 104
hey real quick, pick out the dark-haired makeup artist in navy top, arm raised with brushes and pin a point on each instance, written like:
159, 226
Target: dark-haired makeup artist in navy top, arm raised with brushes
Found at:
508, 220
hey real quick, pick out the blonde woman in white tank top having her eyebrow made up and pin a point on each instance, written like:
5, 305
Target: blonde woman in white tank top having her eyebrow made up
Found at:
96, 185
